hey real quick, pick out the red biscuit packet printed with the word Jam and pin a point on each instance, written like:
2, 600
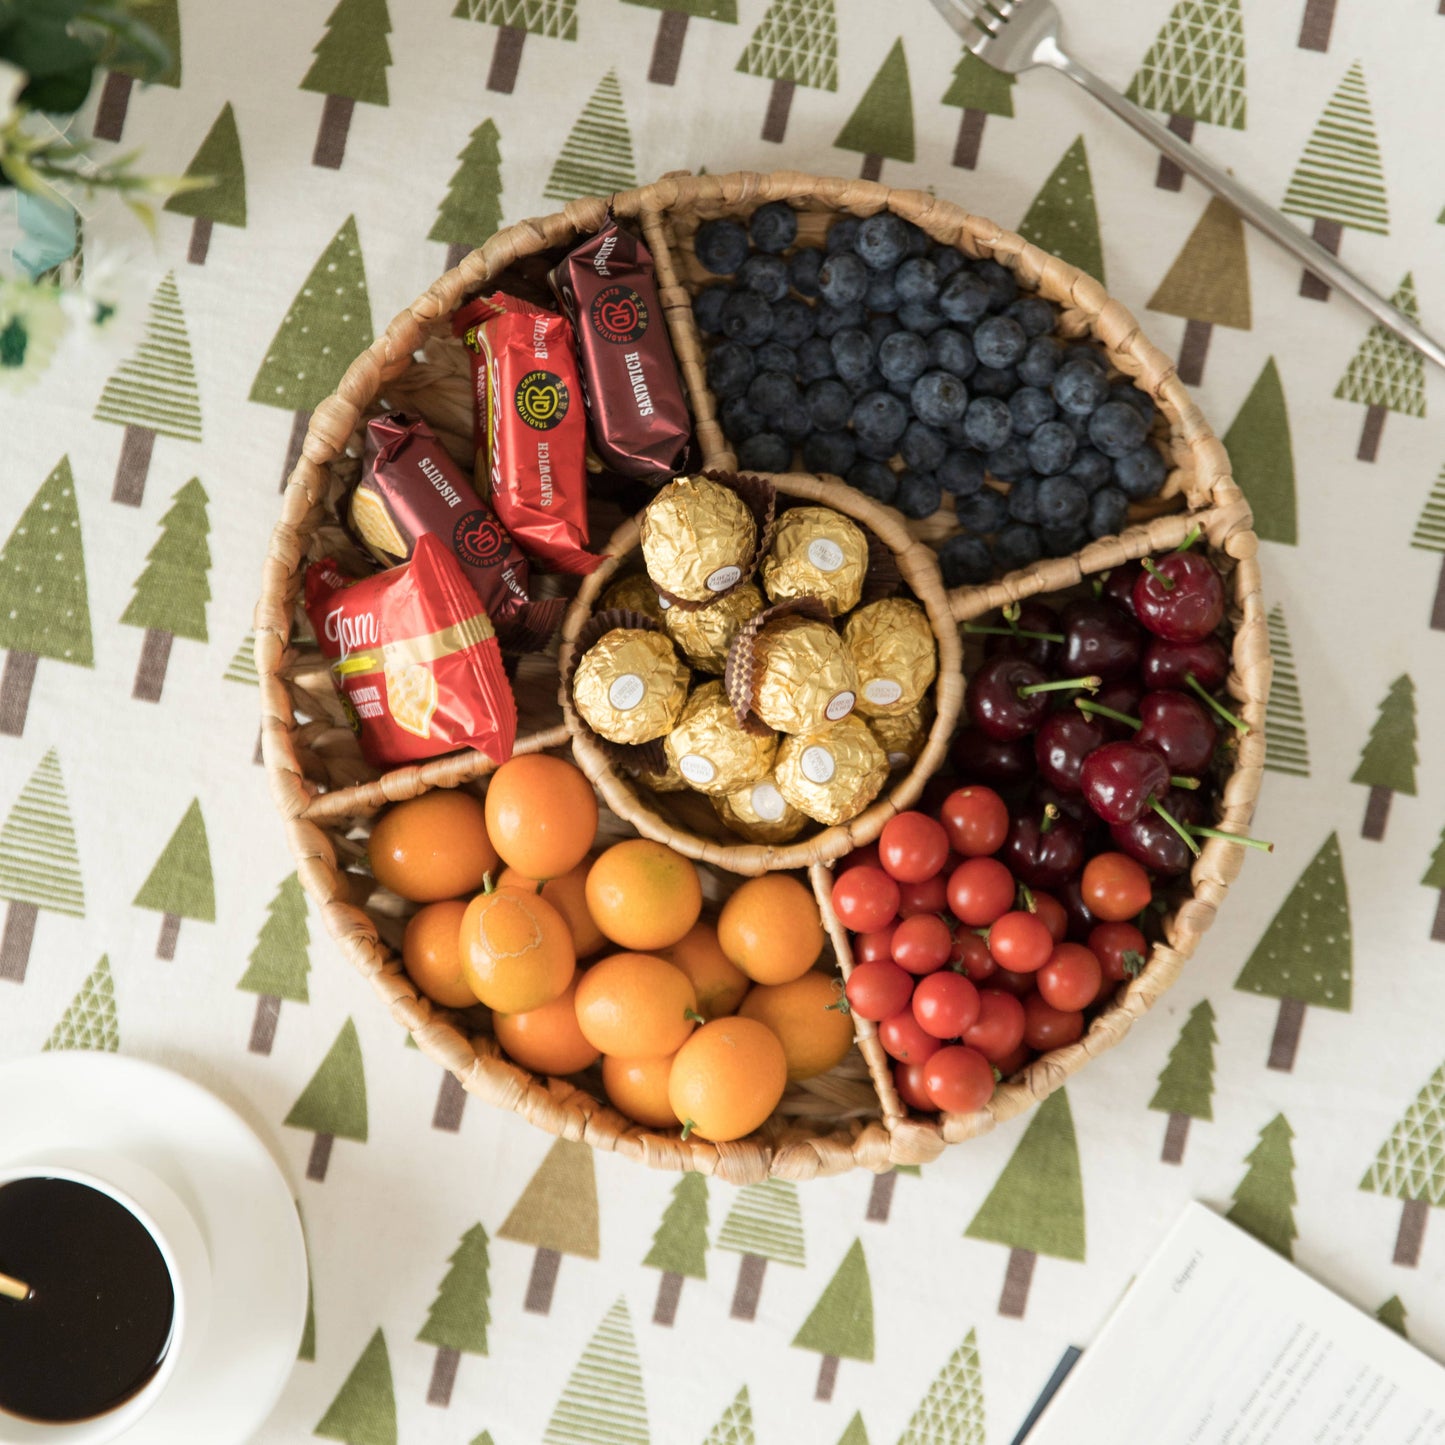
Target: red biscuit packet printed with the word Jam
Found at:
414, 658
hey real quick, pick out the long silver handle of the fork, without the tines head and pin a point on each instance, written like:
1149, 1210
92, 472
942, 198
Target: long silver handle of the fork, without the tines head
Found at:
1261, 216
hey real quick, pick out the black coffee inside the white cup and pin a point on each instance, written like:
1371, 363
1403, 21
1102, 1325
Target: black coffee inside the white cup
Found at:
98, 1324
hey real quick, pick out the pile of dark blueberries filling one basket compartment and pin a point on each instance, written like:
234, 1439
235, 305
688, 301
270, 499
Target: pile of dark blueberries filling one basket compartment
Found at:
885, 346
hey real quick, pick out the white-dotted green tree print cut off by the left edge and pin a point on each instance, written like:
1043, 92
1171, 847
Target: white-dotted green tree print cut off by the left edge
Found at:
44, 603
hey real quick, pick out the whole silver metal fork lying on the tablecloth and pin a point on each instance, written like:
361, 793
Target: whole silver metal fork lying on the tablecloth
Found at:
1017, 35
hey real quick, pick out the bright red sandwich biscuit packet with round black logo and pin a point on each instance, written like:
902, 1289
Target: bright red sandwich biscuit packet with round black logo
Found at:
531, 424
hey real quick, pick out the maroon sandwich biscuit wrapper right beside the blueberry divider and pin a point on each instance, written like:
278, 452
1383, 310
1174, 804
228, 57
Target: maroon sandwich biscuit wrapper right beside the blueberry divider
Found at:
641, 426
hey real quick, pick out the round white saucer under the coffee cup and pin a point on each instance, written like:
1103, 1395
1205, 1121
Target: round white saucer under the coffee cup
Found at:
242, 1206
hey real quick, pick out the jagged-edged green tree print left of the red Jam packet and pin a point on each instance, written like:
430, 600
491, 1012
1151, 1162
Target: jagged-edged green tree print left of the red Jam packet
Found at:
173, 592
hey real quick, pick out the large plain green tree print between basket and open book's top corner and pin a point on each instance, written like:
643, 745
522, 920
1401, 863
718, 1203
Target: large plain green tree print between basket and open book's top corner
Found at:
1037, 1207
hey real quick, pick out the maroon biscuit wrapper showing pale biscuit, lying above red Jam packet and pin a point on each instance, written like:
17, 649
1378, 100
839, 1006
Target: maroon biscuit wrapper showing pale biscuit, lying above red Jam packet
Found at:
410, 486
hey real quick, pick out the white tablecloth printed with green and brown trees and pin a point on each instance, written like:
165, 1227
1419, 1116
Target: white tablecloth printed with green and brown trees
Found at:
475, 1280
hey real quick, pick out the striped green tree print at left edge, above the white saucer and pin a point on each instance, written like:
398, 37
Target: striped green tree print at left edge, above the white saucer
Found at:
40, 866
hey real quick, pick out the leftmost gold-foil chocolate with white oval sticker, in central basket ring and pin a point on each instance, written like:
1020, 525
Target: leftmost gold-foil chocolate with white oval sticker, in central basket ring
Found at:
631, 686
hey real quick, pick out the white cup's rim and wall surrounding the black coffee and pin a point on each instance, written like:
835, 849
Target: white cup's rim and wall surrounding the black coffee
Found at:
174, 1229
